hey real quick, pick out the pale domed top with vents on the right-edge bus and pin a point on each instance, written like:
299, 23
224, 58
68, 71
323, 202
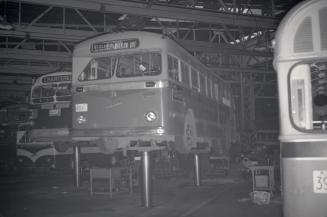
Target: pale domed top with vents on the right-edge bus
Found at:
303, 32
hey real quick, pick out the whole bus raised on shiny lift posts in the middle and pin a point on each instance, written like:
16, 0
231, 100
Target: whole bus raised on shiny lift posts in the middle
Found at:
137, 89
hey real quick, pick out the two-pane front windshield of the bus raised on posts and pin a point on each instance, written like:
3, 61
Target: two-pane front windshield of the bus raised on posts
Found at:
129, 65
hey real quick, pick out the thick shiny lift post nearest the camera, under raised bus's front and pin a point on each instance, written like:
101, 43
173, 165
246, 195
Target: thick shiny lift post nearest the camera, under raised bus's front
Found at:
146, 180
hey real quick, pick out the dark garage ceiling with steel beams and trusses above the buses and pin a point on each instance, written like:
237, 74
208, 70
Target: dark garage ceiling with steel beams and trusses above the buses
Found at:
232, 37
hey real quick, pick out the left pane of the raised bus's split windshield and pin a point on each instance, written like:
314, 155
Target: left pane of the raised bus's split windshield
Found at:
99, 68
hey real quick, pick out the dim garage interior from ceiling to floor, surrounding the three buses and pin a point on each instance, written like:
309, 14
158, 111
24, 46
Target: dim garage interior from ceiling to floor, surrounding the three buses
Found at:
233, 38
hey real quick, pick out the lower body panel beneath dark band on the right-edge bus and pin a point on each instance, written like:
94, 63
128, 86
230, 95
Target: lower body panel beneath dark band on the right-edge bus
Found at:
299, 198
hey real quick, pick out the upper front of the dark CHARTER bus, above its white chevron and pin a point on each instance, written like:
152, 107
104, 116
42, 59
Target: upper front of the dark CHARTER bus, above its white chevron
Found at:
51, 106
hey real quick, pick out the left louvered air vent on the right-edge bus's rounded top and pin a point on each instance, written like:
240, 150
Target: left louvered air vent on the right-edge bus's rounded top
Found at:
303, 37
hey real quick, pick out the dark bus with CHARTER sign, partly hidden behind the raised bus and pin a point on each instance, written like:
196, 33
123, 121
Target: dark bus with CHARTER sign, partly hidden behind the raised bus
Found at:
45, 141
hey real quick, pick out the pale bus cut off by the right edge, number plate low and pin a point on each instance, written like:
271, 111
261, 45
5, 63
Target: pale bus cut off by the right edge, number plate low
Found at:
300, 59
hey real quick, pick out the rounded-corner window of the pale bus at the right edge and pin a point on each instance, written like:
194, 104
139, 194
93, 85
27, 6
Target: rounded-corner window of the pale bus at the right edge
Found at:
308, 86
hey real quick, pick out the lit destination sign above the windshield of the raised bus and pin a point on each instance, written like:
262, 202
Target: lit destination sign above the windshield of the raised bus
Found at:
114, 45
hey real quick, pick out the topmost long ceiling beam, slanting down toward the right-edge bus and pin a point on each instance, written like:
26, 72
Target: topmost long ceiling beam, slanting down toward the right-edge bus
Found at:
165, 11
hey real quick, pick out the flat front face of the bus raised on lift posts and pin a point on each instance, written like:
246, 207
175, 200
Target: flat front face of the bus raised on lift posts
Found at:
117, 90
